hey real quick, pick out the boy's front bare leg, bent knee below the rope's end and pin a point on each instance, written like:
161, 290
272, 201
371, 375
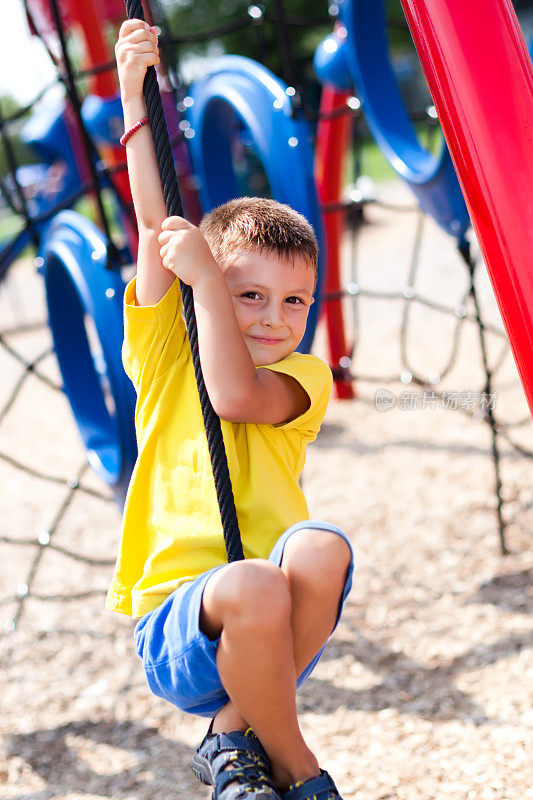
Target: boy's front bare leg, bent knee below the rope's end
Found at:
248, 604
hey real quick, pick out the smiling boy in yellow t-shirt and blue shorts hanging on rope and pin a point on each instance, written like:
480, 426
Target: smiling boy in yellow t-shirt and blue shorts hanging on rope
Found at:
228, 641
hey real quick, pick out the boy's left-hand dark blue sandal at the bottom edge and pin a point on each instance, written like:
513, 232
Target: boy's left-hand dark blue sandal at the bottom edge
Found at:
236, 765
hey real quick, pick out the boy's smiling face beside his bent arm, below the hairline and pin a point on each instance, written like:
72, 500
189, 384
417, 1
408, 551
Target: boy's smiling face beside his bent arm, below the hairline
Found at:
272, 297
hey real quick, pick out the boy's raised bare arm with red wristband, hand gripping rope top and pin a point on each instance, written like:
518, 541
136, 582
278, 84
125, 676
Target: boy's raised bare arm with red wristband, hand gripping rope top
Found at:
135, 50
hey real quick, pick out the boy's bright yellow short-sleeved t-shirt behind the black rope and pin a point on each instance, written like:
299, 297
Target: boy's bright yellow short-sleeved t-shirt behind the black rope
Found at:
171, 527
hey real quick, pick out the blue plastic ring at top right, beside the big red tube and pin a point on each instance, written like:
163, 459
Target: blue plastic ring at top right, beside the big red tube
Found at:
364, 52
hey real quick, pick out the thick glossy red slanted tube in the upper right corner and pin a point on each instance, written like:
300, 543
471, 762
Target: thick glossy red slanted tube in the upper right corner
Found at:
481, 78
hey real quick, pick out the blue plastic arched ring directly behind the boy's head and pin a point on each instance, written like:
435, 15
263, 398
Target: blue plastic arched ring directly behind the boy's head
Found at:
237, 91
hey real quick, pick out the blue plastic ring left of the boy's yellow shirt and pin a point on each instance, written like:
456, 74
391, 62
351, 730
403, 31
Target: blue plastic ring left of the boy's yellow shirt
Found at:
85, 315
